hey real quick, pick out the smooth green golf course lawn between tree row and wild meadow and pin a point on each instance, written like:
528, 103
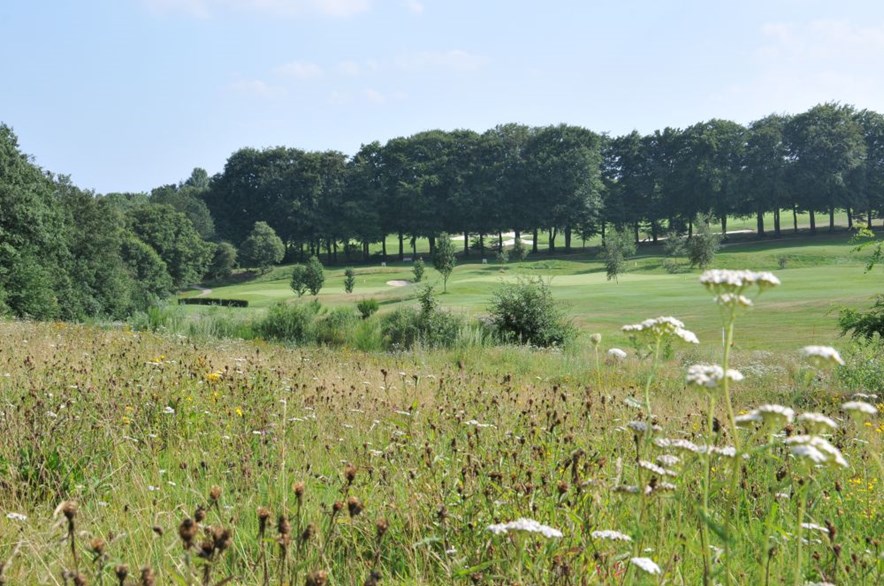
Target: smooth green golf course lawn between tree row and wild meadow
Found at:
820, 275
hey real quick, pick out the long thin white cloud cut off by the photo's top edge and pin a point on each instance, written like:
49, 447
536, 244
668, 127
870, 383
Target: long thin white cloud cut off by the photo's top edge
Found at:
289, 8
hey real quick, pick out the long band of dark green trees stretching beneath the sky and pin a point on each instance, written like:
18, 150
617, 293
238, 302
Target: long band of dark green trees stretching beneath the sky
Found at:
69, 253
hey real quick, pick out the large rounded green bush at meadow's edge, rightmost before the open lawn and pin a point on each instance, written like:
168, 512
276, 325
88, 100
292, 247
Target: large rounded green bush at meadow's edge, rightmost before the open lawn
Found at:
525, 313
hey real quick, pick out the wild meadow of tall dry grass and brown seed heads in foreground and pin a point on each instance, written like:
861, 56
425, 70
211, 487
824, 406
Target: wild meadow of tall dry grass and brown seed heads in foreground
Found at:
390, 468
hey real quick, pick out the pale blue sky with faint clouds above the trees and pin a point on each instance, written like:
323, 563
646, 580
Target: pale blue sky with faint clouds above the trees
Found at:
128, 95
